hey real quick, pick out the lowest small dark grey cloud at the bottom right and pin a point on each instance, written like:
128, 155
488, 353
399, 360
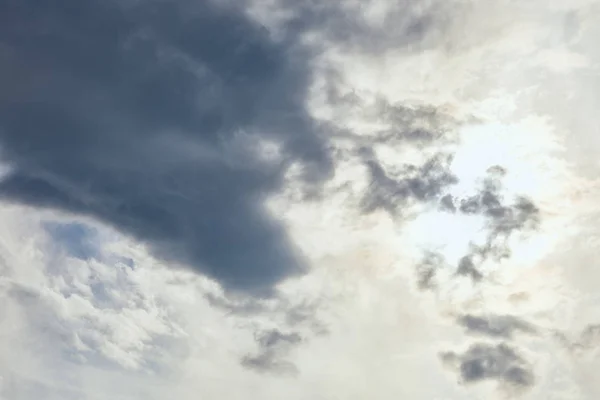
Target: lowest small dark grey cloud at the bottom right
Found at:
499, 362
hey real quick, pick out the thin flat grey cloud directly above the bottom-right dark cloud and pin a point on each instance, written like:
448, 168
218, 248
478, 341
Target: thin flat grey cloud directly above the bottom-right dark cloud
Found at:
495, 325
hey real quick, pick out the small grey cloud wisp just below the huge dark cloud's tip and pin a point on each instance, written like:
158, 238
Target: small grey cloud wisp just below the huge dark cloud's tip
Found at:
273, 345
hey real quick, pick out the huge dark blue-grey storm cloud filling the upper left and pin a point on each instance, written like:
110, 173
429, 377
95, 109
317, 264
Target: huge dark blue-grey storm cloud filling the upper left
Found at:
127, 112
